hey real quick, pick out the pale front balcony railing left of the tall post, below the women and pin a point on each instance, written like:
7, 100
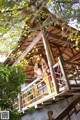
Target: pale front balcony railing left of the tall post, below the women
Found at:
35, 93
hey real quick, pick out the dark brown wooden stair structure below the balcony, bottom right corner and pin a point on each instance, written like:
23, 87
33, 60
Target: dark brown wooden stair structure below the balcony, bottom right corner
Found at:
67, 112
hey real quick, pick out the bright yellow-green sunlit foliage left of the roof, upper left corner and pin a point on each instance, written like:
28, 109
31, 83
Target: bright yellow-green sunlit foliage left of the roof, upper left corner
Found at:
11, 23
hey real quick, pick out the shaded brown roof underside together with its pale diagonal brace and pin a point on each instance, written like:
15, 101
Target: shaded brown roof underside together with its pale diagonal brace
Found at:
57, 36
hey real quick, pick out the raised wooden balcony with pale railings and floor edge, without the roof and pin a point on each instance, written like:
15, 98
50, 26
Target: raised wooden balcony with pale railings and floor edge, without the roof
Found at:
38, 94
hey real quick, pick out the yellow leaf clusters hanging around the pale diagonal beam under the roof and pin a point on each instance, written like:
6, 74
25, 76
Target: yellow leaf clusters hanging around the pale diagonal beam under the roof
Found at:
25, 62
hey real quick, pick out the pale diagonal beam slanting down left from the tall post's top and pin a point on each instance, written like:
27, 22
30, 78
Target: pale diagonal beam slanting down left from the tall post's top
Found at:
33, 43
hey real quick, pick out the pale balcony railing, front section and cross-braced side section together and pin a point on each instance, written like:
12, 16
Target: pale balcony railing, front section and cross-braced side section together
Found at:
38, 91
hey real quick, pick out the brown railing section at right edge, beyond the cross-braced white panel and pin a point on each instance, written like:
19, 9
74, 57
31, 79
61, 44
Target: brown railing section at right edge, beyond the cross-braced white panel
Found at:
72, 71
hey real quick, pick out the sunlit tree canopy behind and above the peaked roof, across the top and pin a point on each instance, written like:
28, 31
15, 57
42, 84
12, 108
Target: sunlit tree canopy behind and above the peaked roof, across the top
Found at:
14, 14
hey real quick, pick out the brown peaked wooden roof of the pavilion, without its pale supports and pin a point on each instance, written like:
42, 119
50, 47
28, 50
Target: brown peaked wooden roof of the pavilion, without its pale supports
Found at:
57, 36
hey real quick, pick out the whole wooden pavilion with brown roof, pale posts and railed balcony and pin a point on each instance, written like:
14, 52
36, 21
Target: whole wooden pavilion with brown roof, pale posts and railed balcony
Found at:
55, 46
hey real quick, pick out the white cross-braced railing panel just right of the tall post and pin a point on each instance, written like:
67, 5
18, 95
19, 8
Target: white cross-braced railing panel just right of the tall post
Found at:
60, 76
